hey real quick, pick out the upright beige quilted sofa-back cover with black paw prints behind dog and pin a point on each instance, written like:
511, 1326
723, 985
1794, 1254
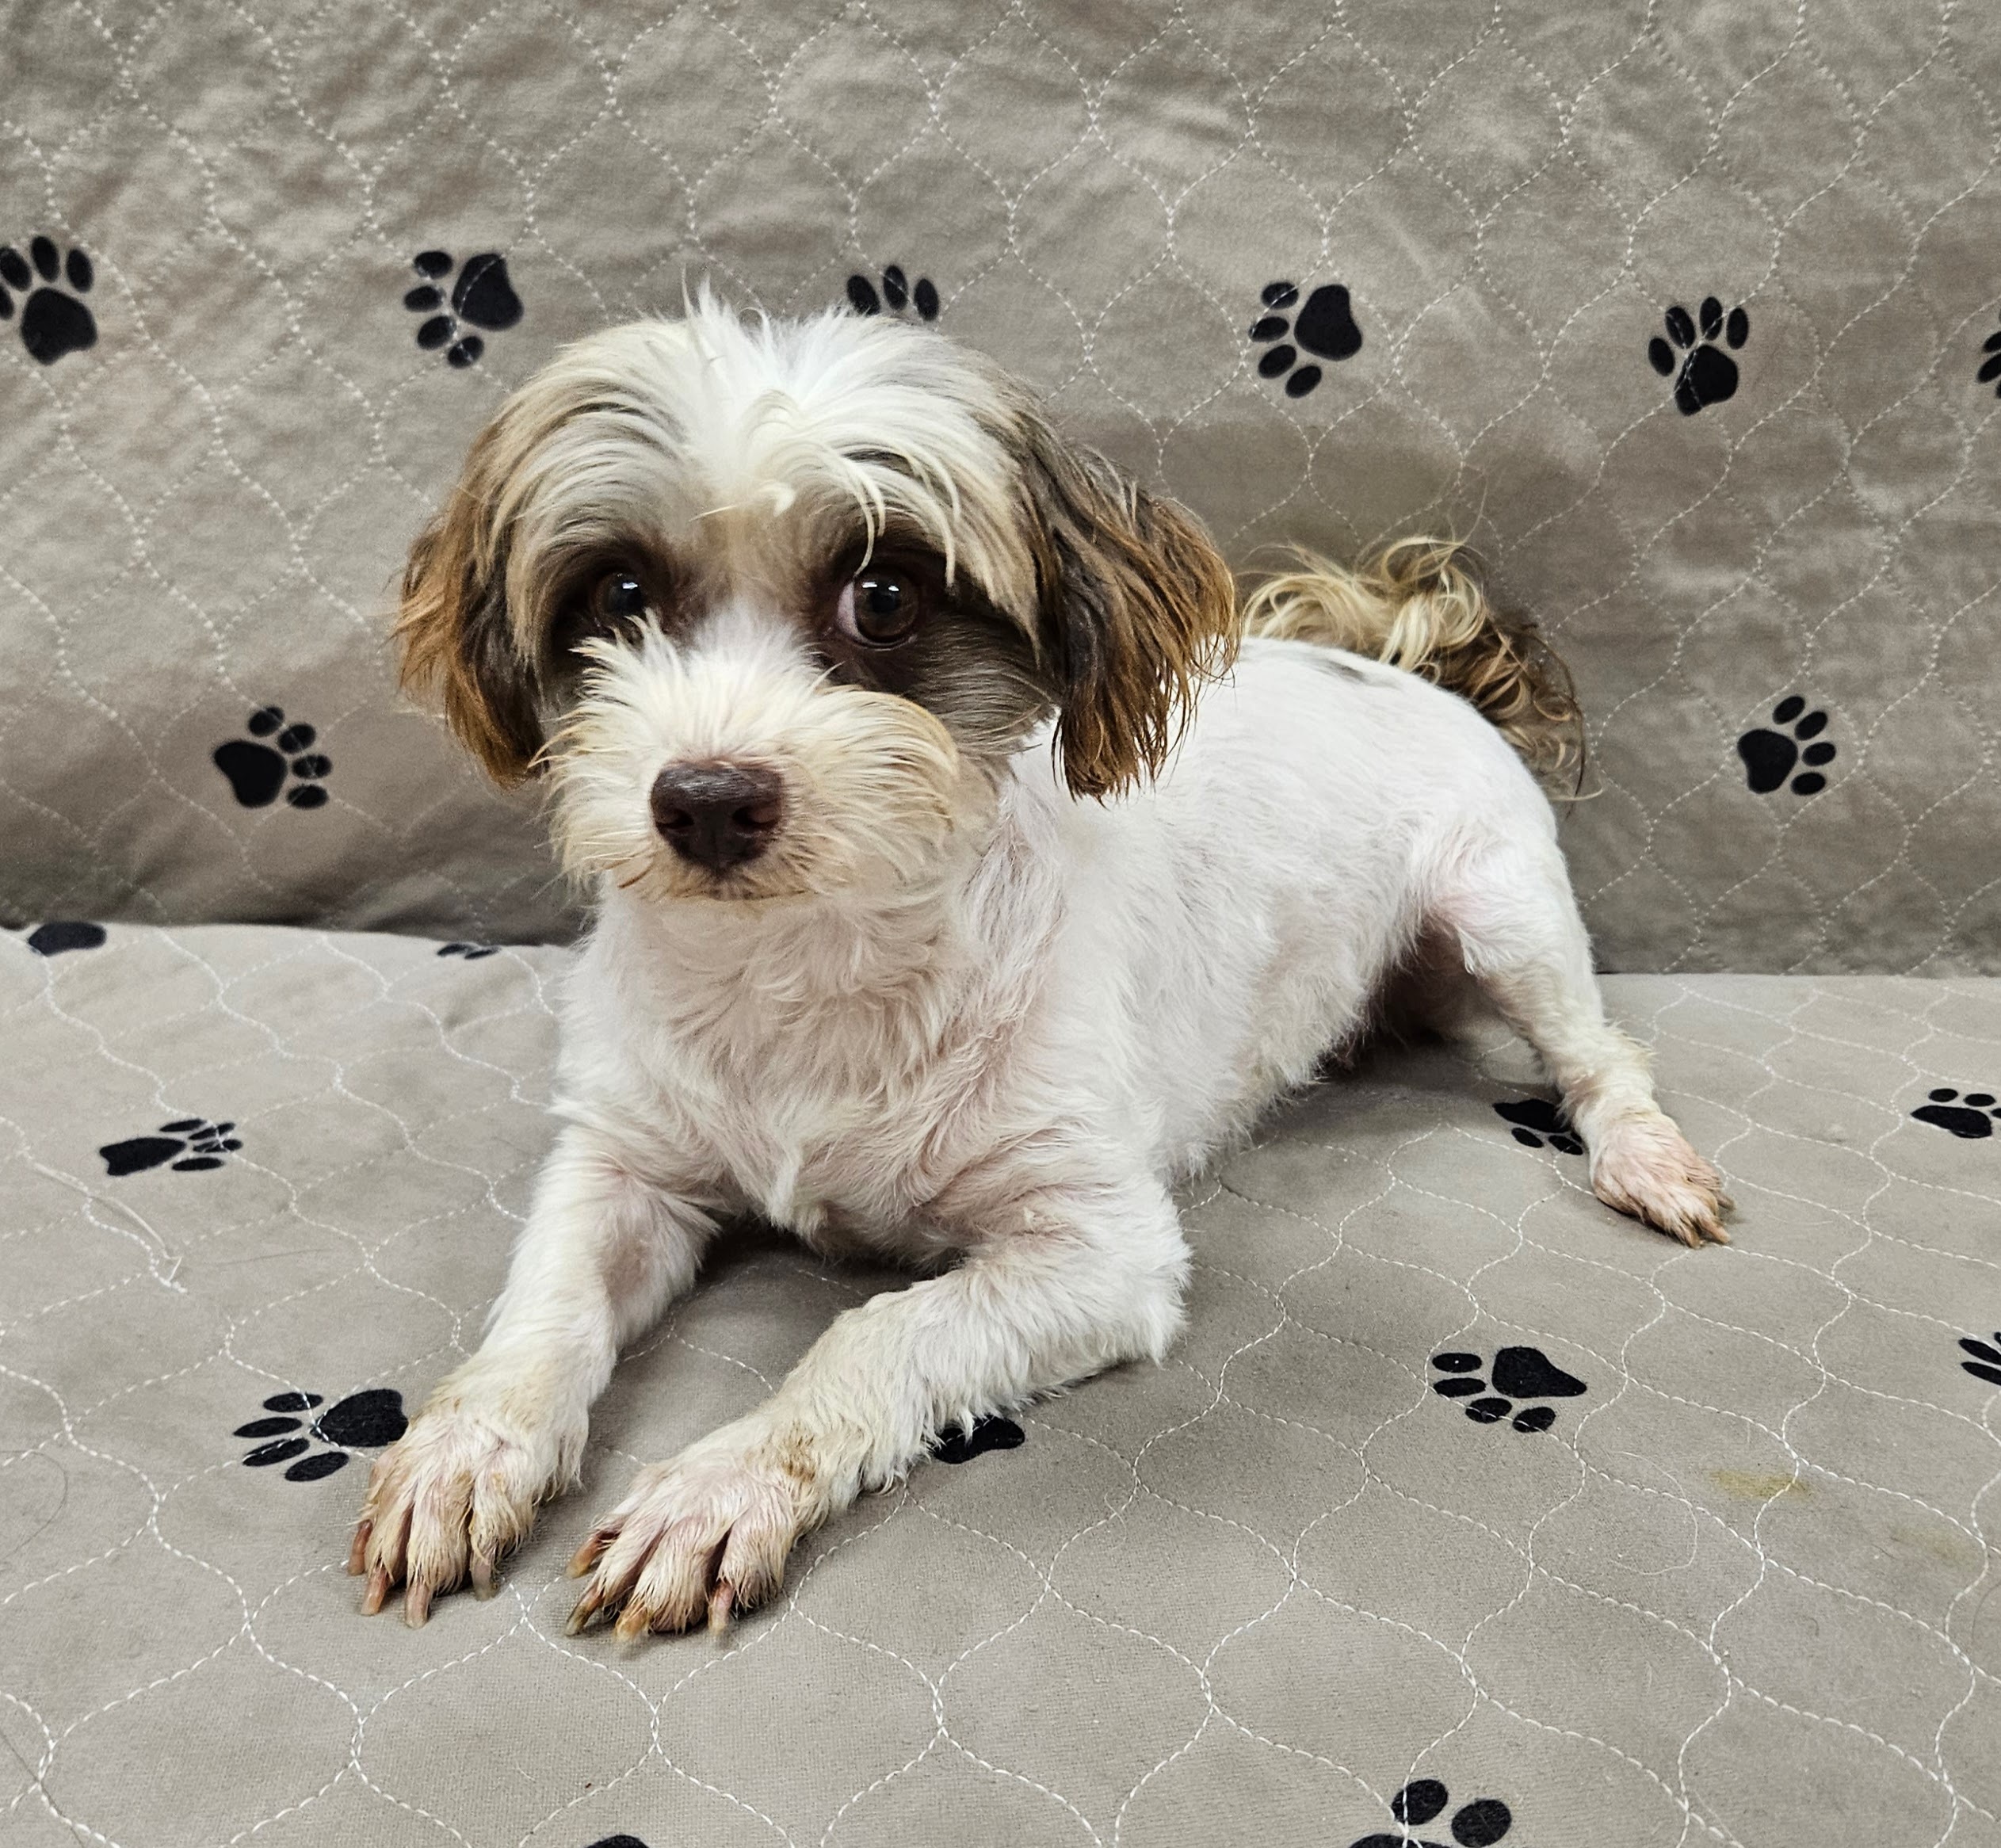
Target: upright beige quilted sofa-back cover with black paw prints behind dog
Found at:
1684, 313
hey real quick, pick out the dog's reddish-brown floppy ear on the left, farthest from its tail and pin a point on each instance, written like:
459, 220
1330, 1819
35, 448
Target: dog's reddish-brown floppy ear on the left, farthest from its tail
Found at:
457, 643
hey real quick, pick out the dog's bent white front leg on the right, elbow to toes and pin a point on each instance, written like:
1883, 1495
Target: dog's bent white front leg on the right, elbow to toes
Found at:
1080, 1279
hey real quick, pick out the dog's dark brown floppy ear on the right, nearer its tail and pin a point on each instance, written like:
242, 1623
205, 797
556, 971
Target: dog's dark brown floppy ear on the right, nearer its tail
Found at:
1136, 611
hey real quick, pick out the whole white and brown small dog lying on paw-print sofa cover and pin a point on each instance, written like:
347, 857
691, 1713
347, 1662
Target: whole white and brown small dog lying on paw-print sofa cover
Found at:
969, 865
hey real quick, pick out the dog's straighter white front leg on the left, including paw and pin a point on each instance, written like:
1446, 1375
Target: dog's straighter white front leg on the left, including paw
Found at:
601, 1257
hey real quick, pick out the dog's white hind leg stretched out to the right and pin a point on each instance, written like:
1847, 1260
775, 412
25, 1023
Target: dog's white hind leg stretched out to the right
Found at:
1510, 907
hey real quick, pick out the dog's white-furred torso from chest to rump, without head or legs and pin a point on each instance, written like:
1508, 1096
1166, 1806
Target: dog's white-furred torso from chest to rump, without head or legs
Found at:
1148, 973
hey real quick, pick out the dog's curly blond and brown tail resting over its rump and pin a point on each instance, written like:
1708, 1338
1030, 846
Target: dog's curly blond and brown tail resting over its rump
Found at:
1420, 605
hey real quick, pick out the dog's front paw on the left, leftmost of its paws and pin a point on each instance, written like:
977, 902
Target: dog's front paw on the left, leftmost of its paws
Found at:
447, 1501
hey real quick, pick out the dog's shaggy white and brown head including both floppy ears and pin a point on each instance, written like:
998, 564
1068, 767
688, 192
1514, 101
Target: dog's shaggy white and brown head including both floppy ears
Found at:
777, 603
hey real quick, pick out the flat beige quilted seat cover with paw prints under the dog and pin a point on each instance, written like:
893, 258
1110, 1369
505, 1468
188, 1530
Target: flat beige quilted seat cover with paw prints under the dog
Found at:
1462, 1505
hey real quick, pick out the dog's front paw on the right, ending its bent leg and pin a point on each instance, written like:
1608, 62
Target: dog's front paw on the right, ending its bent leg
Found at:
705, 1533
